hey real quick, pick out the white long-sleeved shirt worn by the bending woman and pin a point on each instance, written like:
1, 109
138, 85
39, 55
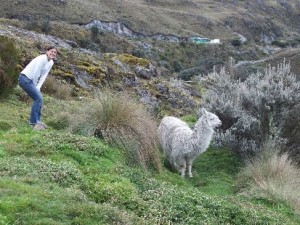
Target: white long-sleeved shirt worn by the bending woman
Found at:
37, 70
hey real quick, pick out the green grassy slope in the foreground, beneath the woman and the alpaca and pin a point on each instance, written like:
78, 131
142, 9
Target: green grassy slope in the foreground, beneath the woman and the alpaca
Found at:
55, 177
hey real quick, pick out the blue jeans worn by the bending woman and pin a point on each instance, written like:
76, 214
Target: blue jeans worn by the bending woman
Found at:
27, 85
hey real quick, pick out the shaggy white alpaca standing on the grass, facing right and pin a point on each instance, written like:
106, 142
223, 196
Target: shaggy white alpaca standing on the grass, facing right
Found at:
181, 145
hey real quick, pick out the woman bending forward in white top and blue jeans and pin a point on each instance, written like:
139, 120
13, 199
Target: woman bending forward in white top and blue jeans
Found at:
31, 80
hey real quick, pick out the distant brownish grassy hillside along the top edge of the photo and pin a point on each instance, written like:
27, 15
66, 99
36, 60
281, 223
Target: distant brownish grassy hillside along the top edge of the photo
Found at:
262, 21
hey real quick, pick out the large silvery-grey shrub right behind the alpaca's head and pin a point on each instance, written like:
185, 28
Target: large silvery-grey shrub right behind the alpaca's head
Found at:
254, 110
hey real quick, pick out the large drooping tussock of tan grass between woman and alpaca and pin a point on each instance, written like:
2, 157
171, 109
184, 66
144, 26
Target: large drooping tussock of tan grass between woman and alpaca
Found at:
124, 123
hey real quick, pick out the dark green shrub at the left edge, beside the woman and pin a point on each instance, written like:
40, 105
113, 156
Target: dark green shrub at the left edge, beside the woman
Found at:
9, 57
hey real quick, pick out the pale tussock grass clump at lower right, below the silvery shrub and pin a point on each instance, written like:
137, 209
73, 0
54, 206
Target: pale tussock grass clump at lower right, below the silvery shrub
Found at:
272, 176
